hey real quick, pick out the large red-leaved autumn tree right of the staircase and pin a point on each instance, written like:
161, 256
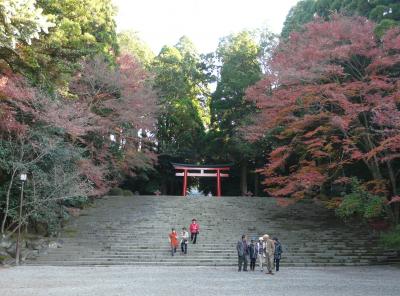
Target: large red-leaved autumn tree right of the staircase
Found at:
331, 103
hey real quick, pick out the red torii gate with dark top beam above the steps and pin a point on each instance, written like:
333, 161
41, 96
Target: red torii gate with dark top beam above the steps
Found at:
192, 170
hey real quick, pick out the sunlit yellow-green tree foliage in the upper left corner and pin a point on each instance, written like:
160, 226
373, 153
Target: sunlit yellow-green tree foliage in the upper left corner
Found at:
79, 29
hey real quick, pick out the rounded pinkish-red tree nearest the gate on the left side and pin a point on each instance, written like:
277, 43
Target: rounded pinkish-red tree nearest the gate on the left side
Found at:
117, 101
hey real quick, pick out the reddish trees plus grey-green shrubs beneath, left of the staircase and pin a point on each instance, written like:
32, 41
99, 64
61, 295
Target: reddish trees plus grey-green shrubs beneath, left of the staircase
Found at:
65, 144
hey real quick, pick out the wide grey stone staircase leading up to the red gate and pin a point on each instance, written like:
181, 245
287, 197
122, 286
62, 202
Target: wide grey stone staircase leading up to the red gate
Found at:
134, 231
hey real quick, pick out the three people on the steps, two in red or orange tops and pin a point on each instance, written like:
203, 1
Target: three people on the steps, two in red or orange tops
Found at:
174, 239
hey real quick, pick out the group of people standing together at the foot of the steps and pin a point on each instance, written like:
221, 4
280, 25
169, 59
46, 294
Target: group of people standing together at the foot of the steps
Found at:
267, 251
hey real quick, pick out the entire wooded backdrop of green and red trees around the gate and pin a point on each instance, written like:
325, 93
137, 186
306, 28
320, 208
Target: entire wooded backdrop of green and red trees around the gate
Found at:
311, 114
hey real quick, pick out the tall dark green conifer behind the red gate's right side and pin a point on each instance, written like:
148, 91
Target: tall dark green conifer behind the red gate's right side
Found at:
238, 56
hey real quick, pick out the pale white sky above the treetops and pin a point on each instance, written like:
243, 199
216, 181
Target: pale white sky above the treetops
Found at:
163, 22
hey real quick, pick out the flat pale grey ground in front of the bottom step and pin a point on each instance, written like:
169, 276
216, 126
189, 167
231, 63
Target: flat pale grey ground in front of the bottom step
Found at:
153, 280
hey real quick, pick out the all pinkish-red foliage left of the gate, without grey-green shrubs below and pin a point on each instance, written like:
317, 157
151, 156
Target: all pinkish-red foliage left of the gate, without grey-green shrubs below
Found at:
116, 100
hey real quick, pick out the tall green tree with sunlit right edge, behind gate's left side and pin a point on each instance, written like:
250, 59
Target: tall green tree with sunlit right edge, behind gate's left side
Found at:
182, 83
